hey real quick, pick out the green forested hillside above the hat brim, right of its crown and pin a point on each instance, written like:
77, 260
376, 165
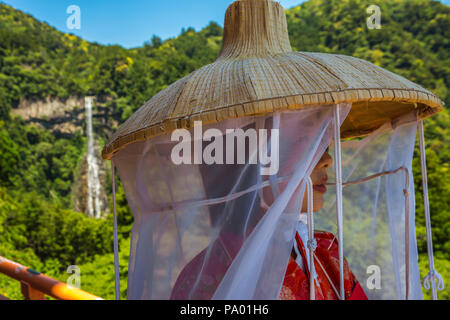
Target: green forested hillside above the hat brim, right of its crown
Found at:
414, 39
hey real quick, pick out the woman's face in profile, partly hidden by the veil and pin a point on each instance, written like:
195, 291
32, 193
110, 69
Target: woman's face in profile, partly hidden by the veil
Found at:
319, 179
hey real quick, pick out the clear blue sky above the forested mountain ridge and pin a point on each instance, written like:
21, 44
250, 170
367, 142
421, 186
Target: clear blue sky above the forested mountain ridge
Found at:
131, 22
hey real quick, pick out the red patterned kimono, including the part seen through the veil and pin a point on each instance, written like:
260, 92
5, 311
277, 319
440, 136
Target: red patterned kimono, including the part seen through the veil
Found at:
296, 281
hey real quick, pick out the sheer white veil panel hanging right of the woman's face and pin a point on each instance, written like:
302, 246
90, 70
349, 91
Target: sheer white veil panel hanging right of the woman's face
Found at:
374, 211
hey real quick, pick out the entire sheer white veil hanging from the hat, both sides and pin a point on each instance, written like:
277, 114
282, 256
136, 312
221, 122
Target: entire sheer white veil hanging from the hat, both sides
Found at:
209, 231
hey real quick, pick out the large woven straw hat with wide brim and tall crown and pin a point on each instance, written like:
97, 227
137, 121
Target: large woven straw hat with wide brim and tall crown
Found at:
257, 72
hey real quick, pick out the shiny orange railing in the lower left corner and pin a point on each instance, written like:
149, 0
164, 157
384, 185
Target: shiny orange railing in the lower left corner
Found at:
35, 286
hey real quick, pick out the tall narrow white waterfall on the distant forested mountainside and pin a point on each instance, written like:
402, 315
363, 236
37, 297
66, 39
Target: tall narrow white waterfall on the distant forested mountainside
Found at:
93, 180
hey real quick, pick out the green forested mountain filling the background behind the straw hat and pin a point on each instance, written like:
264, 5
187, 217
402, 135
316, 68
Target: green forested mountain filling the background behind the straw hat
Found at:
39, 164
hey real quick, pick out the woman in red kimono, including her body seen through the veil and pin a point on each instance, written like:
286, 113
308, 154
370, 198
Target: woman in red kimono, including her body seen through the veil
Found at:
201, 277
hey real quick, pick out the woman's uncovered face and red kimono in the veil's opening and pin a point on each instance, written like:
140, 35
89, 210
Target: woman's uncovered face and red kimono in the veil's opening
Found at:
296, 281
